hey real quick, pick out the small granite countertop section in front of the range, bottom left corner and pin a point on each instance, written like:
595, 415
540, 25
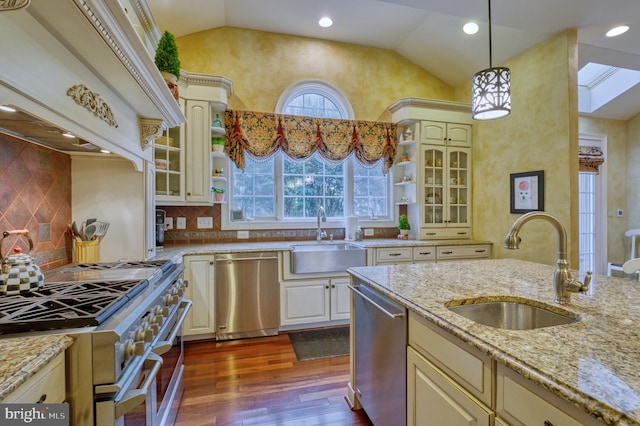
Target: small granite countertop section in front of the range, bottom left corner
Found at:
22, 357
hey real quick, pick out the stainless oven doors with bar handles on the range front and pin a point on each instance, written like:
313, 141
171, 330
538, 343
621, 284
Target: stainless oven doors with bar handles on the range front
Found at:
153, 396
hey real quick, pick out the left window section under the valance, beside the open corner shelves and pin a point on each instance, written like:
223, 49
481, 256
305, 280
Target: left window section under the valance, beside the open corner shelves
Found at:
254, 189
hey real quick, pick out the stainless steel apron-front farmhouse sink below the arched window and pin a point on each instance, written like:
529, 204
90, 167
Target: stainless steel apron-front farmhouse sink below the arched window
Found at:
326, 257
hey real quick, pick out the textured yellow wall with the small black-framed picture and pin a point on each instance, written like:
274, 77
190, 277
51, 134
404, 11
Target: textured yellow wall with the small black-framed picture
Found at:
539, 134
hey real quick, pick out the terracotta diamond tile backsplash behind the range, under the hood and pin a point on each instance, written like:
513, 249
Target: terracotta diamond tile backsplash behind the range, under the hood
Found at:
35, 194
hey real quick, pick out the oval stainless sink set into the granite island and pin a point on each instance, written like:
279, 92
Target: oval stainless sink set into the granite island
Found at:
511, 314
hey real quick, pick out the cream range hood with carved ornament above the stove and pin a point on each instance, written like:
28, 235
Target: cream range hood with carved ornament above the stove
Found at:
82, 66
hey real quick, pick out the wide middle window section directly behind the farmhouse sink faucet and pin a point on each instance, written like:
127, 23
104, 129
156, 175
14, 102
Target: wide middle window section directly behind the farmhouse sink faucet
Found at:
311, 184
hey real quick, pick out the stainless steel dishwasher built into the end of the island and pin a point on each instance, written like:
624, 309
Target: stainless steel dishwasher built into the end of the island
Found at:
380, 356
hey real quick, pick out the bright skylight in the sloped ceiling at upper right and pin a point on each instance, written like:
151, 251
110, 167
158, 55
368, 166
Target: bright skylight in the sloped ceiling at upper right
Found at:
598, 84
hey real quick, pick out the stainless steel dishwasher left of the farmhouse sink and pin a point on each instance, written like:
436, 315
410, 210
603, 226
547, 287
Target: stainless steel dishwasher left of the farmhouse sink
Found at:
247, 296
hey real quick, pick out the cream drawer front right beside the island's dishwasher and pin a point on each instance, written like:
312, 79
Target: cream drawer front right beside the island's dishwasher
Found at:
470, 368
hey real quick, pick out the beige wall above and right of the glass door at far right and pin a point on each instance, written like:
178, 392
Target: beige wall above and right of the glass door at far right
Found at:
616, 162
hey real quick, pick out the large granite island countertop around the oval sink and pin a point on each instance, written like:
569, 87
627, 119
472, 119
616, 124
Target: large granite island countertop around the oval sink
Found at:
592, 364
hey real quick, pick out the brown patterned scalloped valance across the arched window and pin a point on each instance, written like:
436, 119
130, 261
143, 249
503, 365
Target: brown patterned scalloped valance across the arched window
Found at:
263, 134
